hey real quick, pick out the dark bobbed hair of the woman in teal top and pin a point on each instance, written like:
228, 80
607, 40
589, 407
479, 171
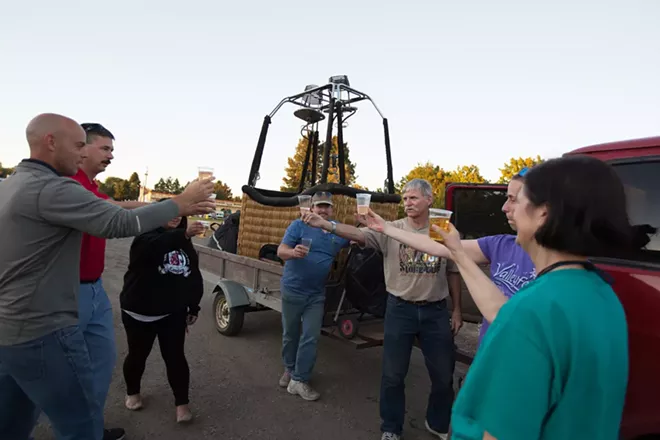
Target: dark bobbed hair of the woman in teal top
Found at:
586, 205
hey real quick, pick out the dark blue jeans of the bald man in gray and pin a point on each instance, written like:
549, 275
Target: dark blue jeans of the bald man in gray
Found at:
53, 374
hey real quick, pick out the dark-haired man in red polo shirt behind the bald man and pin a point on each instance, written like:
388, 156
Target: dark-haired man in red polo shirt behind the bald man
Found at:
95, 309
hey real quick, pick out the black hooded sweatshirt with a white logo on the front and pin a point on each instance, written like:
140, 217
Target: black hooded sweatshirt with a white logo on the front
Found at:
163, 274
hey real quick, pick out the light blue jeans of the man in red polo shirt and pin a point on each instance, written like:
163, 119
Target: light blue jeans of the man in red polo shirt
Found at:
97, 326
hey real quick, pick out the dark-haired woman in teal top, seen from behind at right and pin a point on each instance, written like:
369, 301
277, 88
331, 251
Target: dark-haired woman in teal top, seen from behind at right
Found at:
554, 363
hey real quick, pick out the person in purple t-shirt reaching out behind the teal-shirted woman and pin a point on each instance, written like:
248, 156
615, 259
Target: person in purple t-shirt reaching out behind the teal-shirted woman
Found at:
510, 266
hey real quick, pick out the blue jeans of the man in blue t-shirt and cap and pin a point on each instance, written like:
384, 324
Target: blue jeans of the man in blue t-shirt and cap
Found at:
299, 349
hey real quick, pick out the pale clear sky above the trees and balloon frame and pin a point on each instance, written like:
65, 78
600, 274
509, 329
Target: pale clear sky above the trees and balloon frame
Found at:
185, 84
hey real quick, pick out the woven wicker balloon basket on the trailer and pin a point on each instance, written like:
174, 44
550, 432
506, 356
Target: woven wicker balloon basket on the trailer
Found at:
262, 224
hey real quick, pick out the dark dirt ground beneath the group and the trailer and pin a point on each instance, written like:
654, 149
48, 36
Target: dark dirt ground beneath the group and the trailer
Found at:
234, 392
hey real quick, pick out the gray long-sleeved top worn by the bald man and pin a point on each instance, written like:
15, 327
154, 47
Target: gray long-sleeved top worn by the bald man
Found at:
42, 218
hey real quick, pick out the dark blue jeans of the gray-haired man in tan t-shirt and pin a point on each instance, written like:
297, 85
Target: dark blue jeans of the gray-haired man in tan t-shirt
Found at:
430, 324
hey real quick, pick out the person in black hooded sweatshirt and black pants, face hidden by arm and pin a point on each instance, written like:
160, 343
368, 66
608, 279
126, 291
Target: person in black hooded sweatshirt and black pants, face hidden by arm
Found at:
162, 290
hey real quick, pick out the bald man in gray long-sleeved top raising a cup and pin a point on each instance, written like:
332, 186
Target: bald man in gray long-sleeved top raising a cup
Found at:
44, 363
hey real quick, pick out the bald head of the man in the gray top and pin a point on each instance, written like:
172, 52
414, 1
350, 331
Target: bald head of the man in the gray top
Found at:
56, 140
